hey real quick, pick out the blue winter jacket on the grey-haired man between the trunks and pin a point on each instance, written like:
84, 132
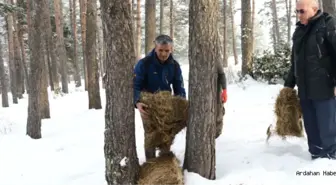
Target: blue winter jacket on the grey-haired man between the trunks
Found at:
156, 77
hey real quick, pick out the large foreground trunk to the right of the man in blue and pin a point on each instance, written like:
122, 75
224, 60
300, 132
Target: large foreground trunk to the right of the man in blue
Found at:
200, 141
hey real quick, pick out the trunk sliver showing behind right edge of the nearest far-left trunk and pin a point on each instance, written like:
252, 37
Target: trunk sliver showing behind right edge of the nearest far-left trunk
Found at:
44, 99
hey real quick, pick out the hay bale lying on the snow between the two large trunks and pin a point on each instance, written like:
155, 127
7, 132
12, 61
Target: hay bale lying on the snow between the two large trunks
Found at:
163, 170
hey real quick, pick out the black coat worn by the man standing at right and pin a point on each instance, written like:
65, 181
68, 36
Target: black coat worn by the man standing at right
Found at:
312, 60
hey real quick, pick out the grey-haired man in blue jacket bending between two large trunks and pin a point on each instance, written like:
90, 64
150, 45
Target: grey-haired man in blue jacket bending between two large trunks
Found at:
157, 72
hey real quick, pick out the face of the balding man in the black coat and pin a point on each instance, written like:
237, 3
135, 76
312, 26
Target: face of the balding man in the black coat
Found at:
305, 11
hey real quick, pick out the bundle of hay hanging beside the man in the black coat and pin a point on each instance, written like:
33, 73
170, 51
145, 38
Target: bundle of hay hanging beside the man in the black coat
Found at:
288, 114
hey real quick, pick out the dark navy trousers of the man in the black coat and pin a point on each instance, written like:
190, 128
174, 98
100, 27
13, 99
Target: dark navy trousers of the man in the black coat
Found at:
319, 118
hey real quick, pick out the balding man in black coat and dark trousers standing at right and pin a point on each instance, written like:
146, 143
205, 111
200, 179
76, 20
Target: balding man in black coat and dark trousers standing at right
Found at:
313, 72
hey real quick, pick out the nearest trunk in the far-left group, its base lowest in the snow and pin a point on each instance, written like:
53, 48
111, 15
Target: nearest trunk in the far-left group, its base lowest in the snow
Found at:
36, 44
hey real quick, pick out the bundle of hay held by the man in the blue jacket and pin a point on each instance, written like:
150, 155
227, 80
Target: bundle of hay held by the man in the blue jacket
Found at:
167, 116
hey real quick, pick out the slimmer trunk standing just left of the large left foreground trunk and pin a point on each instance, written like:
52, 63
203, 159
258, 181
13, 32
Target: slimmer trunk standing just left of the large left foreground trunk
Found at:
92, 63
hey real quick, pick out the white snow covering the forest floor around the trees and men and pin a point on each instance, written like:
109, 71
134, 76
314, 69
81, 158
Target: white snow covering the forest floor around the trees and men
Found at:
71, 150
